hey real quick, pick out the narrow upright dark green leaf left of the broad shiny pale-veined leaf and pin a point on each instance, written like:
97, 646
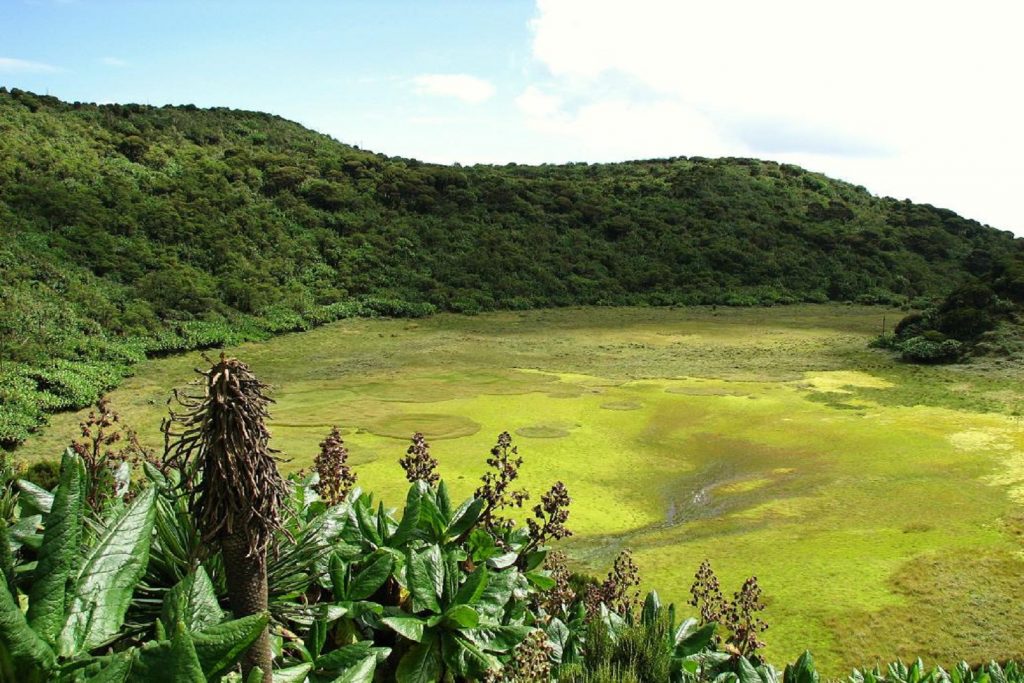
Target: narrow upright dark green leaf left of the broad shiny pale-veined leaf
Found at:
60, 554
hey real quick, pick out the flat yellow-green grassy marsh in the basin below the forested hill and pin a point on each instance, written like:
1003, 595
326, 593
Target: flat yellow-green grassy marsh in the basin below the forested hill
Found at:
879, 504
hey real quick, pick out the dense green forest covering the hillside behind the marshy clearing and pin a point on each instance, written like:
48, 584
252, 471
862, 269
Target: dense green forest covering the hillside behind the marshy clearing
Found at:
132, 231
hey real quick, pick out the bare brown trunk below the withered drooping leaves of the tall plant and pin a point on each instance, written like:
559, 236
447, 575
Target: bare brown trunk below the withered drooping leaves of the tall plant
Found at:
248, 592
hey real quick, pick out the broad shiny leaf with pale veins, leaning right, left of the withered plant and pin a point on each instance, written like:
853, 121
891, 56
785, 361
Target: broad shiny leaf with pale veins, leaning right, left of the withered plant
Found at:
105, 587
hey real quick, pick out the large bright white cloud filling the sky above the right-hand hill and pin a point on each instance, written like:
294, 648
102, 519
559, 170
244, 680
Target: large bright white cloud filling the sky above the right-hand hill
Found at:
912, 99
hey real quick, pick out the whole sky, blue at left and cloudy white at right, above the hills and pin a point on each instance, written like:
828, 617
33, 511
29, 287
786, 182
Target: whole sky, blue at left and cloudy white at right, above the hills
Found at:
914, 100
